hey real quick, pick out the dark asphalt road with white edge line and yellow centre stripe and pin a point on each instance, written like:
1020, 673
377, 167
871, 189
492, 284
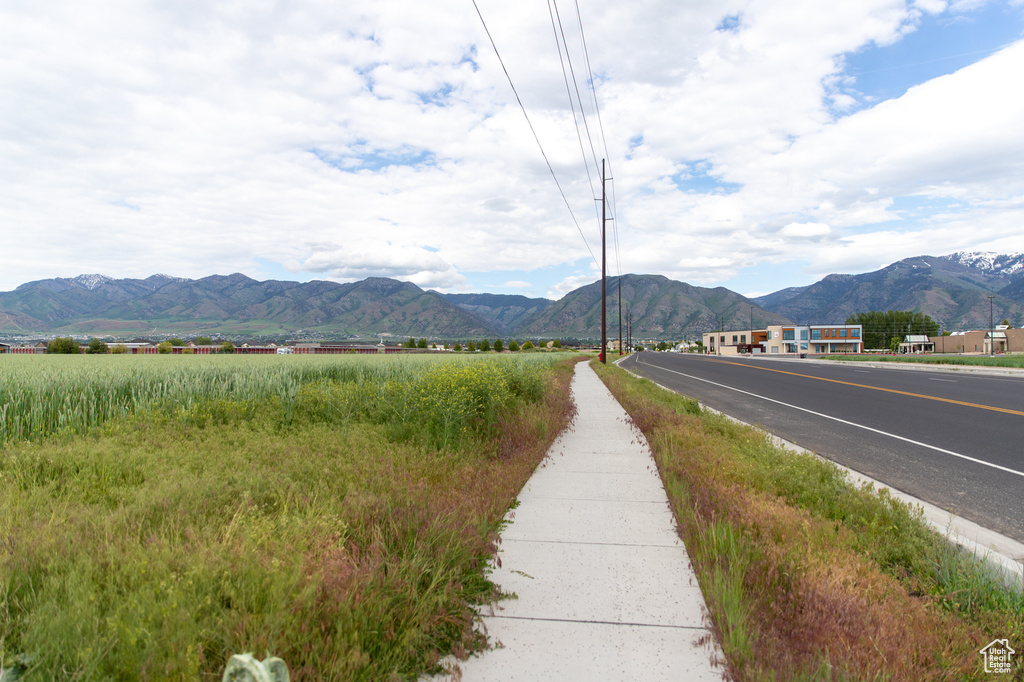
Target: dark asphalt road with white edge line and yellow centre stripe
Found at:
952, 439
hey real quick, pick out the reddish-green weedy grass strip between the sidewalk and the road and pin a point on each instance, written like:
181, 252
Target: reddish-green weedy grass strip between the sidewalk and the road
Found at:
806, 576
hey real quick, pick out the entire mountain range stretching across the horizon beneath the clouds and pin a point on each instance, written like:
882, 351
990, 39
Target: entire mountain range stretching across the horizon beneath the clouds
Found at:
956, 290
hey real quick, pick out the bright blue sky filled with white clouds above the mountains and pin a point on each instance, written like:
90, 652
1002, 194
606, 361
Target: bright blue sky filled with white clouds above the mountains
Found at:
754, 145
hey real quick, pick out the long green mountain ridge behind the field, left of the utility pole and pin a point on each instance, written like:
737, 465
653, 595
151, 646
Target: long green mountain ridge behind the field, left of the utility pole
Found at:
235, 305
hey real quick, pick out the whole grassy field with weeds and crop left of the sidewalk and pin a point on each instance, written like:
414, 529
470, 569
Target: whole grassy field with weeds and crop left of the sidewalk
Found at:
162, 514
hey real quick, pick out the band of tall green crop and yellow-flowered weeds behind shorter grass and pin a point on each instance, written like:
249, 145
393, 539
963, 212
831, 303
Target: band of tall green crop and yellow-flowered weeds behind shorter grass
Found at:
42, 397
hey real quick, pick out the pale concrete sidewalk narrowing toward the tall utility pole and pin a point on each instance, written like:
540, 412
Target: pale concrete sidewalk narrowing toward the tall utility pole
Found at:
605, 585
